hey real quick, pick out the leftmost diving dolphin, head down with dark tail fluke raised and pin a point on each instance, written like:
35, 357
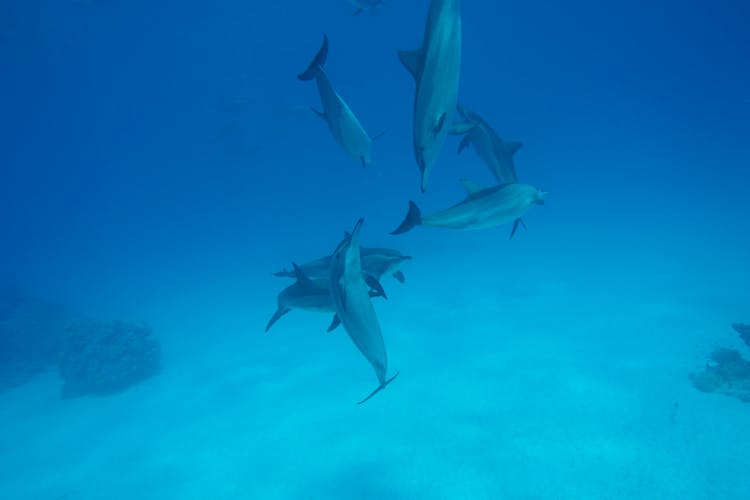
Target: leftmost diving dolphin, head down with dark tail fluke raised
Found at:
342, 122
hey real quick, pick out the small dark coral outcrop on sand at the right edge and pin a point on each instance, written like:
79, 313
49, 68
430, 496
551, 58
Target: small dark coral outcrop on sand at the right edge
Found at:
726, 373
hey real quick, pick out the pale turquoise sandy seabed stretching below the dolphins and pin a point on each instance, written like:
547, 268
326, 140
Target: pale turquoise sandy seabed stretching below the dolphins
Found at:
555, 389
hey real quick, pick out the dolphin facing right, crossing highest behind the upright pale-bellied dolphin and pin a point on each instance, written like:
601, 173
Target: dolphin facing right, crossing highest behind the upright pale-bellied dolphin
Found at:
376, 262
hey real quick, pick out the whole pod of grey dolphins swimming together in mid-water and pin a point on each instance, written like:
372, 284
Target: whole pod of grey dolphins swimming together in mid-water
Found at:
345, 282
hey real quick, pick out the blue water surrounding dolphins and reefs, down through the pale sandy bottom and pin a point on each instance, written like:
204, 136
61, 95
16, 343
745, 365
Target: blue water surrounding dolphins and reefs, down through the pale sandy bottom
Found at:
158, 161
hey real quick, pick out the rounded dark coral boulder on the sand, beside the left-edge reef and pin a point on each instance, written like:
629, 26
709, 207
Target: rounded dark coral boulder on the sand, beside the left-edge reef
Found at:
105, 358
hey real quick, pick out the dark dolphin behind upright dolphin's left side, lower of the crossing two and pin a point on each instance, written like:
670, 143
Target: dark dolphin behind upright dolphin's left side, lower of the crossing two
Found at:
310, 295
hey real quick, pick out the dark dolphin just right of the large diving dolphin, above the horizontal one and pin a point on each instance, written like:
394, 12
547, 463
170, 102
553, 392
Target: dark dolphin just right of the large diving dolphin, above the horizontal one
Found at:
496, 153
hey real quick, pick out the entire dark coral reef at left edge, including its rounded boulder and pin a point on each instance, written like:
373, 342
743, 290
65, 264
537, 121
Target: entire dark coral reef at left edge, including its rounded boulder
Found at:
92, 358
